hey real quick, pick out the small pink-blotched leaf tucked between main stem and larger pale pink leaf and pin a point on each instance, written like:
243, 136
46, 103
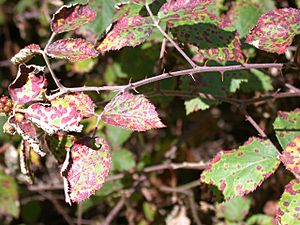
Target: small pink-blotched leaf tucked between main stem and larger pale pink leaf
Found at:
83, 103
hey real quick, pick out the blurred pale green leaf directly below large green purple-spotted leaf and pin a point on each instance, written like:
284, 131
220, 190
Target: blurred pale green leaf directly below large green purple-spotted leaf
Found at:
234, 210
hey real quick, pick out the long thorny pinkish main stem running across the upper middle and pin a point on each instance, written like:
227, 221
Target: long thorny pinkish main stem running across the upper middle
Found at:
167, 75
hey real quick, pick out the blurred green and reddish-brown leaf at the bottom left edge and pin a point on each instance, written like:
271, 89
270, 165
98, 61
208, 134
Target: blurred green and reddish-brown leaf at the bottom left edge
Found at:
8, 196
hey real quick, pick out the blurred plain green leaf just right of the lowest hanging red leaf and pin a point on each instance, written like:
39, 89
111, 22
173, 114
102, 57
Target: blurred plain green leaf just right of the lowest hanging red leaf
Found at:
122, 160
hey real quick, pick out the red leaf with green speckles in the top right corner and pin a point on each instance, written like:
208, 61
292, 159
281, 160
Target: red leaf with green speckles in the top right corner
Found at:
275, 30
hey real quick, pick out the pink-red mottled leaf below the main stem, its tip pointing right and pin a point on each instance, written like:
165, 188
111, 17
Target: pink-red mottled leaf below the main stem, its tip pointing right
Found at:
133, 112
